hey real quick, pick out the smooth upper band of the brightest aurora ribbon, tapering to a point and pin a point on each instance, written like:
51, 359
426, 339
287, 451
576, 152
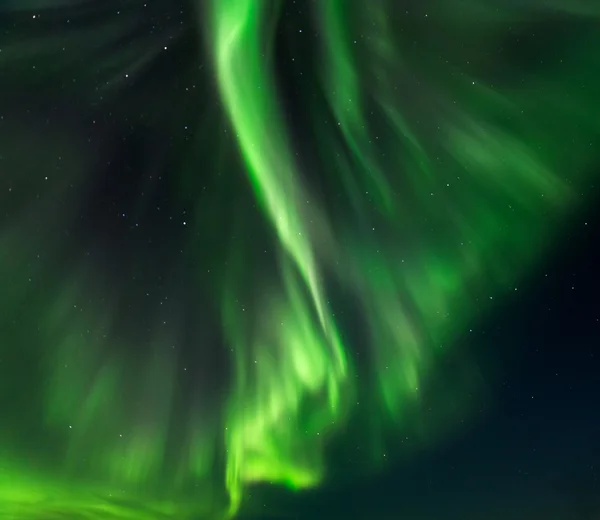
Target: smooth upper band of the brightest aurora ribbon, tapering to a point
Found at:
248, 91
